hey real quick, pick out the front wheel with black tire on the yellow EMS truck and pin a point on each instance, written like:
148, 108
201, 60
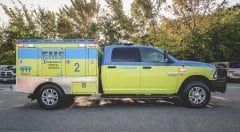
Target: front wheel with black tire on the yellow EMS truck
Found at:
196, 94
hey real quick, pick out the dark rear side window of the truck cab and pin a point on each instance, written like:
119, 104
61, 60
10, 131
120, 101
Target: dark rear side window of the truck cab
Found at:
126, 55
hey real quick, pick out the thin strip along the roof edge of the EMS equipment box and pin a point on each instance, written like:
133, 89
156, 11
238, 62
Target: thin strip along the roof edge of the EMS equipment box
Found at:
57, 41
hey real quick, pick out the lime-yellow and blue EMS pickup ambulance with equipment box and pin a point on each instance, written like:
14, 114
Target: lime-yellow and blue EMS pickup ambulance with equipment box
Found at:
48, 70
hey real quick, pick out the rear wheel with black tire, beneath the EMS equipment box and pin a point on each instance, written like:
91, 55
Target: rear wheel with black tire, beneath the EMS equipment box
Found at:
50, 97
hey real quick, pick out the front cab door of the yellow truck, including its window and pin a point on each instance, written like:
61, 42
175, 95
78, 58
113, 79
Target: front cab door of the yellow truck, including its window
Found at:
157, 76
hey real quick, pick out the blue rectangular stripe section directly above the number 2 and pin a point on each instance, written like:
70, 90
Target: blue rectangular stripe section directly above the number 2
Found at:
75, 53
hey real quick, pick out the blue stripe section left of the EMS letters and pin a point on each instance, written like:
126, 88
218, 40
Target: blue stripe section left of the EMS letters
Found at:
28, 53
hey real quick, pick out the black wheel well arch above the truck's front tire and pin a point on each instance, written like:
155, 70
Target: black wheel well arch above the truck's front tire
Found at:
195, 77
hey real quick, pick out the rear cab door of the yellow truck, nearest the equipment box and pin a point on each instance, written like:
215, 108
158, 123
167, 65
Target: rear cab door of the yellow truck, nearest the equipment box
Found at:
122, 74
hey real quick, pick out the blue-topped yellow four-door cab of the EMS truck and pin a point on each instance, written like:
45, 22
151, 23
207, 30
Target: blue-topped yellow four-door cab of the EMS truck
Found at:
138, 70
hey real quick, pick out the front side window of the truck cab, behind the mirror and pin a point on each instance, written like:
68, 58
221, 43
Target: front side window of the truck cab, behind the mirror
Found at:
151, 55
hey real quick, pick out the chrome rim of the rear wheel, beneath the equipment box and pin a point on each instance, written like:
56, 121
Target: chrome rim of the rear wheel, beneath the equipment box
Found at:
49, 96
